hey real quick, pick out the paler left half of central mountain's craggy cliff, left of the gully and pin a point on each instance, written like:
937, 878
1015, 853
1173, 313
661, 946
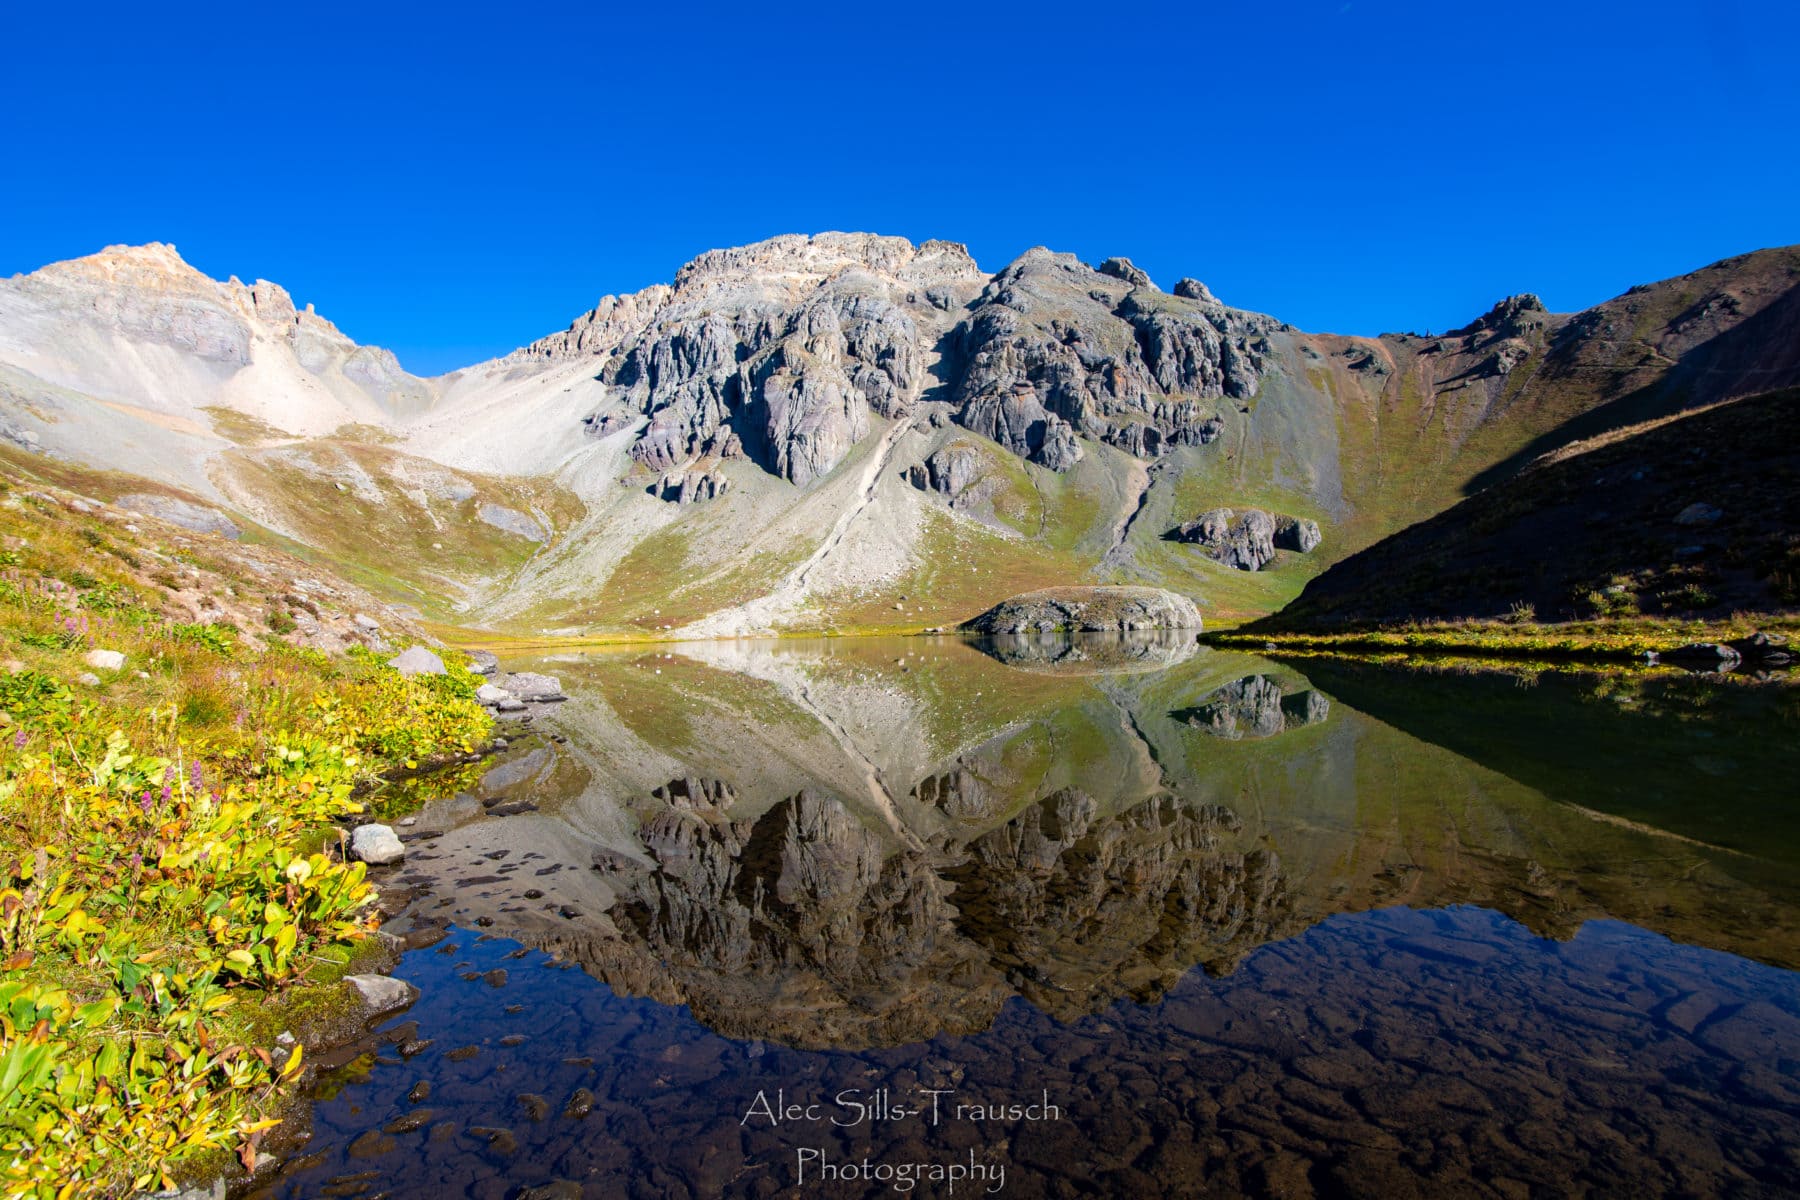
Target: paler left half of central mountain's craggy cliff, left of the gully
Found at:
780, 350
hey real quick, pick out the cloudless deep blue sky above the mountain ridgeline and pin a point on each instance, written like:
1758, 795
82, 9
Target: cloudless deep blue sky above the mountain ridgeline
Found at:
456, 181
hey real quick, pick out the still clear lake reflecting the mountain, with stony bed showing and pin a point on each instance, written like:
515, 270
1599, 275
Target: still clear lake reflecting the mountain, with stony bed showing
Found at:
1239, 936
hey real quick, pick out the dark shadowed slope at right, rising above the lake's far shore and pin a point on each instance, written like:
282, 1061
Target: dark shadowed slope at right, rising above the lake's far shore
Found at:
1693, 515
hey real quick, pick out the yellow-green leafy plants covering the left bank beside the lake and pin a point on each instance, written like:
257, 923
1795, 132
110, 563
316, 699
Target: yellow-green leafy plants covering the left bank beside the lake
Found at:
168, 902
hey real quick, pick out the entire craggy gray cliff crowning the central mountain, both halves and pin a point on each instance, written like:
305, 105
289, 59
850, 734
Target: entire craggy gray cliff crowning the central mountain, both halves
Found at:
784, 350
